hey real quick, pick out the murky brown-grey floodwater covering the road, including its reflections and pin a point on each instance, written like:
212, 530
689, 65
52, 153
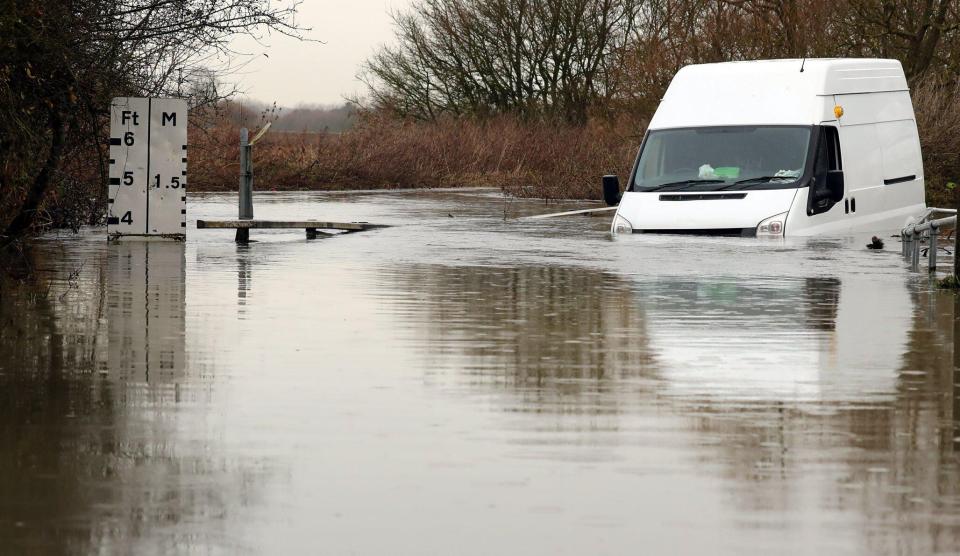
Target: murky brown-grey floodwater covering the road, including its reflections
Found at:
466, 383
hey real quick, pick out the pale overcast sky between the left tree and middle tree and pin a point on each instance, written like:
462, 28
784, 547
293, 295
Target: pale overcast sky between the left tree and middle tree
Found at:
295, 72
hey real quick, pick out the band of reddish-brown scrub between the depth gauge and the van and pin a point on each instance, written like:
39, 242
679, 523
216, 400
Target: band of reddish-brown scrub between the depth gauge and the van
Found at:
527, 159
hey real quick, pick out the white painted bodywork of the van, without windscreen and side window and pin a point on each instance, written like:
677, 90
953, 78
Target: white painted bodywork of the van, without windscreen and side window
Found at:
879, 144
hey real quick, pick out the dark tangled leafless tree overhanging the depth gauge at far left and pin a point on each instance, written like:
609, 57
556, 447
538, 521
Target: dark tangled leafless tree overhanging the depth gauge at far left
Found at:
61, 62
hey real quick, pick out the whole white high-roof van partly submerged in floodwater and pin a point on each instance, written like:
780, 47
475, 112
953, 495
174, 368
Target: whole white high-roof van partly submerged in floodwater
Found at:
774, 148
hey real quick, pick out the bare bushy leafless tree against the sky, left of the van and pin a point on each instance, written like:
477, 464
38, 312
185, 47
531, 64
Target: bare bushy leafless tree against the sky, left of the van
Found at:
537, 58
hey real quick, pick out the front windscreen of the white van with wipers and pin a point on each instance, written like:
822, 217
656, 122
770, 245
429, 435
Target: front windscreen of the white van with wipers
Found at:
733, 157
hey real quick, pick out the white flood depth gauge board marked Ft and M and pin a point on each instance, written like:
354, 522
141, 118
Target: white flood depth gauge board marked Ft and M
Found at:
147, 194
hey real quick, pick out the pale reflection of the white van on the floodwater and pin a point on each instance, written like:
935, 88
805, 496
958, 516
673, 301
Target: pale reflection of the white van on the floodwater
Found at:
787, 339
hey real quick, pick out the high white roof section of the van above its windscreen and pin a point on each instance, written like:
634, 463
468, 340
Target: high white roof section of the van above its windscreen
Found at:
770, 91
